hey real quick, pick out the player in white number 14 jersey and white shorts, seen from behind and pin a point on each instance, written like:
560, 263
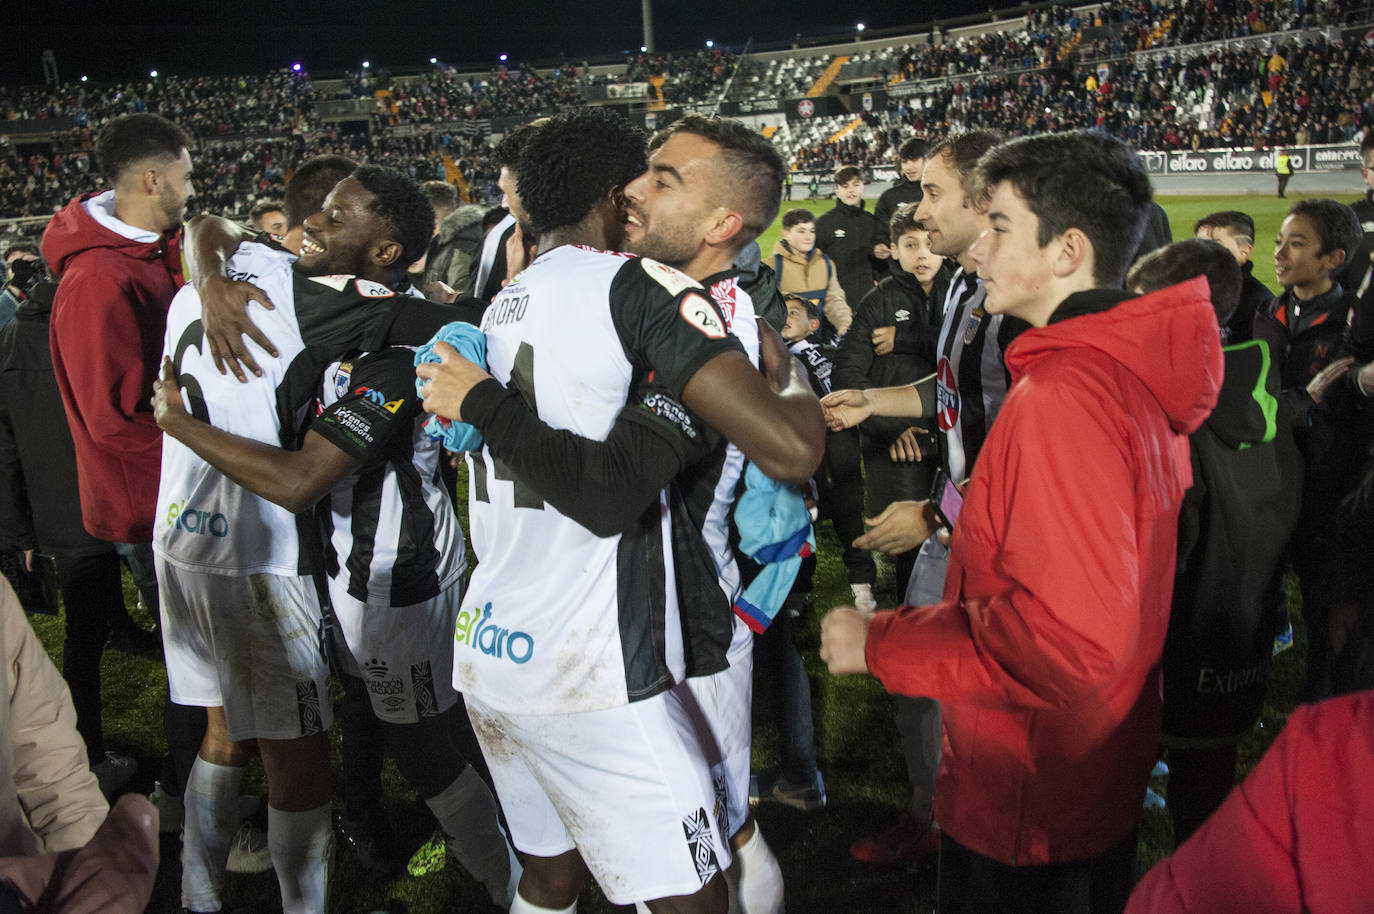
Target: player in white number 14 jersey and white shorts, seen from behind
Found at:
619, 659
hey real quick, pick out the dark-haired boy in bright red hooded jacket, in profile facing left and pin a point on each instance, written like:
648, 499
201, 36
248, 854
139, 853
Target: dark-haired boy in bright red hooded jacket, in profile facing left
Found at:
1045, 652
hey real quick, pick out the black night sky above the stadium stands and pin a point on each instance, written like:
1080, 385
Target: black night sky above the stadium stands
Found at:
115, 41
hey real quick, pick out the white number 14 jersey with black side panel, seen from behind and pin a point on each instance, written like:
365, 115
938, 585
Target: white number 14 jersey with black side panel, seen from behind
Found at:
556, 618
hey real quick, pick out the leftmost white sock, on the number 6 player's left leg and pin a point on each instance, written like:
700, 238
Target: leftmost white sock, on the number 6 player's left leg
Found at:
212, 817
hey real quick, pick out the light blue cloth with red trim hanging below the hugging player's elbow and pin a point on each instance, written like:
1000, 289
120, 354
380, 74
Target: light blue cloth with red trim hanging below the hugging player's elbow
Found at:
774, 531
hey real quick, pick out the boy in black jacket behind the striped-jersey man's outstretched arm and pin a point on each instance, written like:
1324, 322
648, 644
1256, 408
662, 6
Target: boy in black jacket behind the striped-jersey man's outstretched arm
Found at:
892, 342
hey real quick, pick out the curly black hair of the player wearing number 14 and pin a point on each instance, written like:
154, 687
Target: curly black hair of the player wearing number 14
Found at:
574, 163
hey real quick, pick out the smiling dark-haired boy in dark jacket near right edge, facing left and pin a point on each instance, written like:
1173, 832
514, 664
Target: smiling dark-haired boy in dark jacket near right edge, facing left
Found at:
1311, 325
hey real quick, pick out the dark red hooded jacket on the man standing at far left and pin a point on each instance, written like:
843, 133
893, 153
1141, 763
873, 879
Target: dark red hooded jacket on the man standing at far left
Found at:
108, 324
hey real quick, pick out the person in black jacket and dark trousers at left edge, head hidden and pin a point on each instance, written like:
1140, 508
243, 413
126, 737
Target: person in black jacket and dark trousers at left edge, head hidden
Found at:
41, 511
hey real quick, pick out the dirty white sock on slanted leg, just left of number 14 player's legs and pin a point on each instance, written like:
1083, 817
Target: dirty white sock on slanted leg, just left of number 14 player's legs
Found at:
468, 814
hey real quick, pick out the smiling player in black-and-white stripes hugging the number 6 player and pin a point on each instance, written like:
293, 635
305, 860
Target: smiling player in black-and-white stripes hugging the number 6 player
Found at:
394, 548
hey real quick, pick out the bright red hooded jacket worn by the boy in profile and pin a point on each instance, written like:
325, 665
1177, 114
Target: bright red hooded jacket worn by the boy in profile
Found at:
1045, 652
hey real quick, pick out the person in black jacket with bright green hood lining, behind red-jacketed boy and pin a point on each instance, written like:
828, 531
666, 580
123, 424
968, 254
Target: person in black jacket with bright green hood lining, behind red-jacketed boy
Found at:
1233, 527
